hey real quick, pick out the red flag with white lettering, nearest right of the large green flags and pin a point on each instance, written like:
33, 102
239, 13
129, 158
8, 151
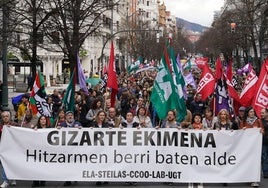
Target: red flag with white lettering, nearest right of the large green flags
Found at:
206, 84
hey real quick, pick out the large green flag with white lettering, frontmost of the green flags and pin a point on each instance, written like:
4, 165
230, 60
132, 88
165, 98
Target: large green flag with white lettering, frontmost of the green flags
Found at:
164, 96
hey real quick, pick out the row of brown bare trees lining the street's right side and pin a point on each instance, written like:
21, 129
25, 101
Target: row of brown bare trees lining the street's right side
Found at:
249, 35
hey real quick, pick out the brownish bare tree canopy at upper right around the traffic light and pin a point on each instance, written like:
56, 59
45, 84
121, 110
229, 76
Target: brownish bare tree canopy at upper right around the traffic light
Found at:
248, 32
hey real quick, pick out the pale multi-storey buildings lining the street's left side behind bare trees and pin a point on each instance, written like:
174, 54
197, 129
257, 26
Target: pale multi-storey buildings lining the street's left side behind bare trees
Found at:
125, 20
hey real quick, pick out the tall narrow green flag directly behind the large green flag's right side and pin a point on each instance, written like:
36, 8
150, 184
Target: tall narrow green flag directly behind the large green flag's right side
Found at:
179, 84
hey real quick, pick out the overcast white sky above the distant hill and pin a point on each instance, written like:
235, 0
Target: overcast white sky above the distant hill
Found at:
197, 11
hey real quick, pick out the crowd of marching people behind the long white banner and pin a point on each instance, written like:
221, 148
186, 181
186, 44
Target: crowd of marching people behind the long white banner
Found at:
133, 109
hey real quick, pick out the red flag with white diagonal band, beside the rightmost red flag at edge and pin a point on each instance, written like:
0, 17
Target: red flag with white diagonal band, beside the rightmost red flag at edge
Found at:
248, 90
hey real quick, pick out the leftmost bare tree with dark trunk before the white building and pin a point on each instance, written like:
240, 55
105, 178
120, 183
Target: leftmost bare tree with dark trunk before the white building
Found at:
28, 19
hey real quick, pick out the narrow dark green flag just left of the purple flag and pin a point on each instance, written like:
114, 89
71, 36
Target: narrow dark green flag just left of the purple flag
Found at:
68, 99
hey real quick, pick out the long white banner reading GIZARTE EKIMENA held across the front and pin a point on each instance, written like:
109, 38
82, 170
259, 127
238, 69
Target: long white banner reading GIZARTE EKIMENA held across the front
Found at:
163, 155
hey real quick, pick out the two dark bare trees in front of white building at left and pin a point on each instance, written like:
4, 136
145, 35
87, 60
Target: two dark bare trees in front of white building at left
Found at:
54, 25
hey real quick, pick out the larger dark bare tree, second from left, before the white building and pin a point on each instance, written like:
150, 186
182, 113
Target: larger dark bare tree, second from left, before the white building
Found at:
74, 21
